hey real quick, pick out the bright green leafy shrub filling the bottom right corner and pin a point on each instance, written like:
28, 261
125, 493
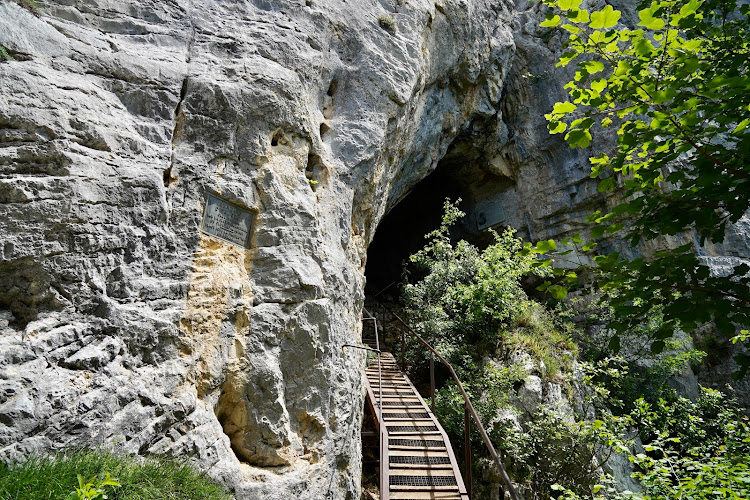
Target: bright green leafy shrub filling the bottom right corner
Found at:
690, 450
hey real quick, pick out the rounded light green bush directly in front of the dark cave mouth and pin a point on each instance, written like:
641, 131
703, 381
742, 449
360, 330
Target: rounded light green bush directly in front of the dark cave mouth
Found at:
467, 298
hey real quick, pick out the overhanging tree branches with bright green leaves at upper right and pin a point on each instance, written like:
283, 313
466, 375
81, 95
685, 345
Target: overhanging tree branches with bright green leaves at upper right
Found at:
676, 89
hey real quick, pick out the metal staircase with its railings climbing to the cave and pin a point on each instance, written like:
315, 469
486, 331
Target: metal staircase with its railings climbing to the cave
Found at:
416, 459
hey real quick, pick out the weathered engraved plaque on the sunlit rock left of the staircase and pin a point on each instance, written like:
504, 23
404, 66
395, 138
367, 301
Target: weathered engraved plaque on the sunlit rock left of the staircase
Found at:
227, 221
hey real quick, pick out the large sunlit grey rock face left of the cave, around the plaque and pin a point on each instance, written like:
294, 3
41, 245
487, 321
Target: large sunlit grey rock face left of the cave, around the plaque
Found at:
120, 322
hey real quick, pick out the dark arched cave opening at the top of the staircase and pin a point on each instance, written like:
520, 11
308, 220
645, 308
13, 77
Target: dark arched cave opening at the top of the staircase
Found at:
483, 186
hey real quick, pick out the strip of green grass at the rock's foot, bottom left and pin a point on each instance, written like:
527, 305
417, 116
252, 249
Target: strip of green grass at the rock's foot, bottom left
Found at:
55, 477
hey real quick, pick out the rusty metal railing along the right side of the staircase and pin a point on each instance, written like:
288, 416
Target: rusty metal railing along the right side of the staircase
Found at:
469, 411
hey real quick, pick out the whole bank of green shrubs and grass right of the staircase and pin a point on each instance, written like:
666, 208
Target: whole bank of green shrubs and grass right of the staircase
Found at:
471, 304
